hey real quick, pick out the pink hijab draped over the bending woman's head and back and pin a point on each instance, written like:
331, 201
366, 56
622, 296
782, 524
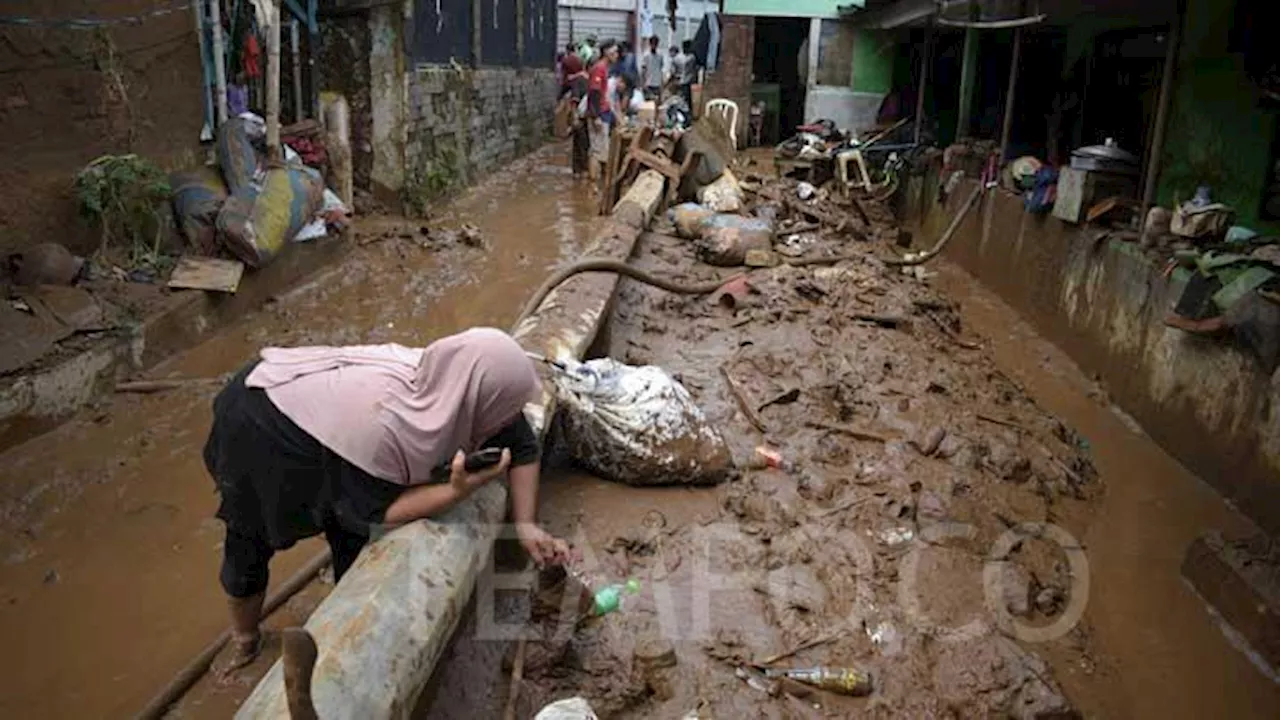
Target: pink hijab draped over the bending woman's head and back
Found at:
399, 412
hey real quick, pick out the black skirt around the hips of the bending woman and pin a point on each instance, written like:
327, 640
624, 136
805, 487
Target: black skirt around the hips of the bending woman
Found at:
277, 482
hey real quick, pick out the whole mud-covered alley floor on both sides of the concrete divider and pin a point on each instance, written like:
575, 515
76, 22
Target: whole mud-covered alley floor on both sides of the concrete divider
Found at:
927, 494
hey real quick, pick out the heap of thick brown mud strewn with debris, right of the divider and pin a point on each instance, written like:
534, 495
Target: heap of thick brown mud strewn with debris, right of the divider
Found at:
904, 508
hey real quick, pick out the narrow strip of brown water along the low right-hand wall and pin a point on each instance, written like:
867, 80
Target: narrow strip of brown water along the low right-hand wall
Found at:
1167, 657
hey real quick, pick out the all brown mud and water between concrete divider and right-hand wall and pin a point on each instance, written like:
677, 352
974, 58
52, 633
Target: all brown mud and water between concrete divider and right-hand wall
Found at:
930, 557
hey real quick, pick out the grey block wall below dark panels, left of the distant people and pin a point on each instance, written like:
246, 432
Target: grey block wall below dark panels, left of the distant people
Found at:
468, 124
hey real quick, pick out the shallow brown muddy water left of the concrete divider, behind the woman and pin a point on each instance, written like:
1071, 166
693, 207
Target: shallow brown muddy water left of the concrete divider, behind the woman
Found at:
108, 550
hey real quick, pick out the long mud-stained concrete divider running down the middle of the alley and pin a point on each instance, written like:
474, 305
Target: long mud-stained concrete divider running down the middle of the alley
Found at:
385, 627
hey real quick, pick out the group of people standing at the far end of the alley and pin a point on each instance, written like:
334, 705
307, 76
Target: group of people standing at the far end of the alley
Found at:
604, 86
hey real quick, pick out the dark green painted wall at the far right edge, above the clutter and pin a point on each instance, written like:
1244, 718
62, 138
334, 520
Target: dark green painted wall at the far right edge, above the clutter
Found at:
1219, 135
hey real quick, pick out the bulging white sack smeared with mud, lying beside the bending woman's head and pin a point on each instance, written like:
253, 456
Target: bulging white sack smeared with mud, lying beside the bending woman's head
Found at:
638, 426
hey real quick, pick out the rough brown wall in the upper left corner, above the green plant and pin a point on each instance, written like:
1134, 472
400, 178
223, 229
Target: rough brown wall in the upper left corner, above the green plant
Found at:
72, 94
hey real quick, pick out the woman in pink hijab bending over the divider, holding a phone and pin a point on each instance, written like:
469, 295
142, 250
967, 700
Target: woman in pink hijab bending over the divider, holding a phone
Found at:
342, 440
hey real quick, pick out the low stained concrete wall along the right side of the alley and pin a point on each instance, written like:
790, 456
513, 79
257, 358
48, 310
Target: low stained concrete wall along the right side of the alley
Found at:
1208, 403
